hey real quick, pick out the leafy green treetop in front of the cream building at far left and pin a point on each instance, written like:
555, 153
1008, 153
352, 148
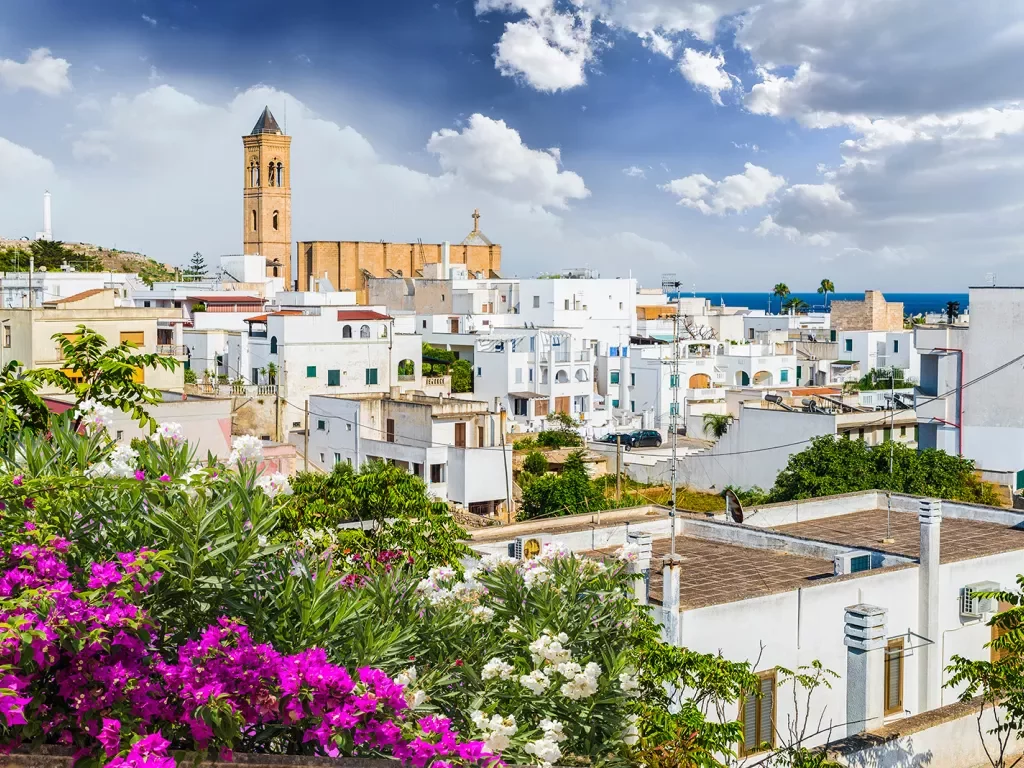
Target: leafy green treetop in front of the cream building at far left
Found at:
106, 375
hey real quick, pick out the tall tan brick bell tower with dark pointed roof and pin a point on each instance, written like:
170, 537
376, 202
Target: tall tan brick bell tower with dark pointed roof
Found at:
267, 228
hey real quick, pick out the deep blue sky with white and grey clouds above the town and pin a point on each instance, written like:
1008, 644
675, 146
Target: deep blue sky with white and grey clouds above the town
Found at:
876, 143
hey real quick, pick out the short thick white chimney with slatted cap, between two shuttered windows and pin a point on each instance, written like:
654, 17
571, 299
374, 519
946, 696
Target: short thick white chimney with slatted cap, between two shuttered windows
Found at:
866, 668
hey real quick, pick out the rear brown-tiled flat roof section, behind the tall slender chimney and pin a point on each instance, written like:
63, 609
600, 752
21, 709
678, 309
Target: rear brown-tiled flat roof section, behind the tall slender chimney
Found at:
960, 539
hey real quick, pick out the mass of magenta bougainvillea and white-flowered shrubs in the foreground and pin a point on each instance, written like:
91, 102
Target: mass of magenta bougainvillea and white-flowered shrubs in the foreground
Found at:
150, 604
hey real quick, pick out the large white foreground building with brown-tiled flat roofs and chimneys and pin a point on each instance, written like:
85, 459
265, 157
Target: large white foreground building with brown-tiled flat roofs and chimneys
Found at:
815, 581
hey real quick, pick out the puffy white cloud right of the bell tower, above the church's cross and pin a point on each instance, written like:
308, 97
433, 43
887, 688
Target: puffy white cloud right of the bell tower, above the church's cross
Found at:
489, 154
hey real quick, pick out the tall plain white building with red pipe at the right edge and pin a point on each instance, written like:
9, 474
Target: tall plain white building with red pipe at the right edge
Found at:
969, 400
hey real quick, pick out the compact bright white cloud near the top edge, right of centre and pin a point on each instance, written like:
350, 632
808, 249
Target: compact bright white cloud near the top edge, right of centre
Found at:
549, 52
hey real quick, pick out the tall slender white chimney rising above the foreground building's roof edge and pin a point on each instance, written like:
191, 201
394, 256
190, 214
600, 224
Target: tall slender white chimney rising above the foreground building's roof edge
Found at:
930, 666
